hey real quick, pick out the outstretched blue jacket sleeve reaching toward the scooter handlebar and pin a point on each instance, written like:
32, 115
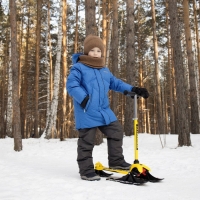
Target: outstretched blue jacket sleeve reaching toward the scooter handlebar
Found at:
118, 85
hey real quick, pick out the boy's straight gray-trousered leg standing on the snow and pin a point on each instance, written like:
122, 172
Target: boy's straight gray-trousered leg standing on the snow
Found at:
85, 148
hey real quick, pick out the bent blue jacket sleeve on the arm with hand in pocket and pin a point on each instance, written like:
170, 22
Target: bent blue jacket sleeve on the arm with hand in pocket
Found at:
74, 87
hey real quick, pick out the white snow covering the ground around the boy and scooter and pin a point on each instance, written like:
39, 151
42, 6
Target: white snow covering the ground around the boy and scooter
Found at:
47, 170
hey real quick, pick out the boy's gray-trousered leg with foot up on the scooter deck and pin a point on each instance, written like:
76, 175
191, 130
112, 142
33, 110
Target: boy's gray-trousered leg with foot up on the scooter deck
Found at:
114, 133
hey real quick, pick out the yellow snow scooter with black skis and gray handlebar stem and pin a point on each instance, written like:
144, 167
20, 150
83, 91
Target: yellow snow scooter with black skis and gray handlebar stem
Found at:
138, 174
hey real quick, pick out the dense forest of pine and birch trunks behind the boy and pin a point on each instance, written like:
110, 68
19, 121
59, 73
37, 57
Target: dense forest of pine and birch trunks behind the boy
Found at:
152, 44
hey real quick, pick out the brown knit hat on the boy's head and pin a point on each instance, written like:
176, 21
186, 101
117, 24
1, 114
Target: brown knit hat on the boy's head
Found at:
92, 41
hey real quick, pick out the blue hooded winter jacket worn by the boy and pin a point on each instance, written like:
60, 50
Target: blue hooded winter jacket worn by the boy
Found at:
84, 80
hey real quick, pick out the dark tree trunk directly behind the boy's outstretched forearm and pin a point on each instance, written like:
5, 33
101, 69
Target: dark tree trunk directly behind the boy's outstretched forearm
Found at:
130, 65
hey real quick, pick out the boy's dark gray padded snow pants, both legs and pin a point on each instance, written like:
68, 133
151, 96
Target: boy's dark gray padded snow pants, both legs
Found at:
114, 133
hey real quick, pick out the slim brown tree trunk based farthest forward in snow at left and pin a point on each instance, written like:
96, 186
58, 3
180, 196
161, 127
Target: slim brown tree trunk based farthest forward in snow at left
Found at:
15, 81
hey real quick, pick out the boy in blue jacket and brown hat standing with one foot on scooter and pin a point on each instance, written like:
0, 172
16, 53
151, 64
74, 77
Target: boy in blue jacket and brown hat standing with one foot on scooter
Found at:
88, 83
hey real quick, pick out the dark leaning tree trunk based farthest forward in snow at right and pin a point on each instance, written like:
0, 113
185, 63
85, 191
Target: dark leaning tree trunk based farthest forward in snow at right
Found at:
182, 106
